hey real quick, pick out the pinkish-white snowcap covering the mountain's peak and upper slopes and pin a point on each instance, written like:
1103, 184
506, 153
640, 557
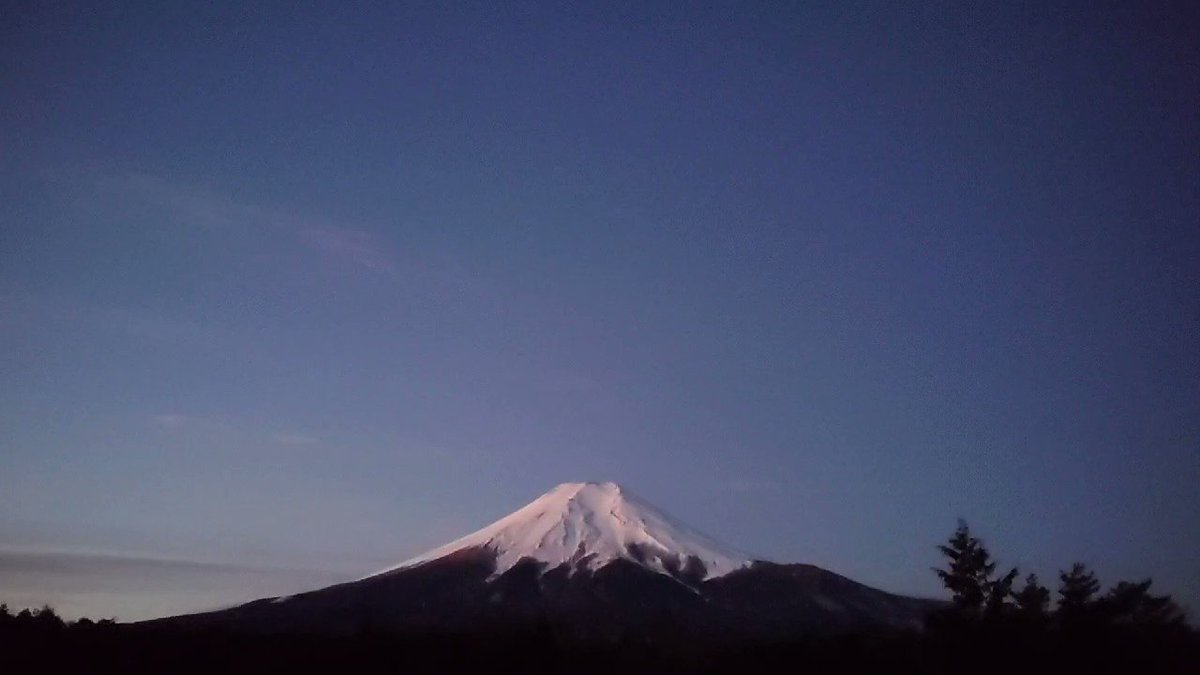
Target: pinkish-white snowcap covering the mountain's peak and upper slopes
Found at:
591, 525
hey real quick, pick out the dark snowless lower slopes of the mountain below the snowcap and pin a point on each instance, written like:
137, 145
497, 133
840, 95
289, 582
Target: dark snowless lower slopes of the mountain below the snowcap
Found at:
458, 595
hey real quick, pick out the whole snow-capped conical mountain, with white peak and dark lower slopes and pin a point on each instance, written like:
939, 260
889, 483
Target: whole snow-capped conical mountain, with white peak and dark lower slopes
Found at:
592, 559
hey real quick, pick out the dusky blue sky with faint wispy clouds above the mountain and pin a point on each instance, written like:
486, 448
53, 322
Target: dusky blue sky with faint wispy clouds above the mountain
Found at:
292, 292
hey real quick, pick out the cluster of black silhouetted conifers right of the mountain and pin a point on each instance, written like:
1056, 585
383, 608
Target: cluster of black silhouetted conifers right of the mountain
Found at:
1009, 626
